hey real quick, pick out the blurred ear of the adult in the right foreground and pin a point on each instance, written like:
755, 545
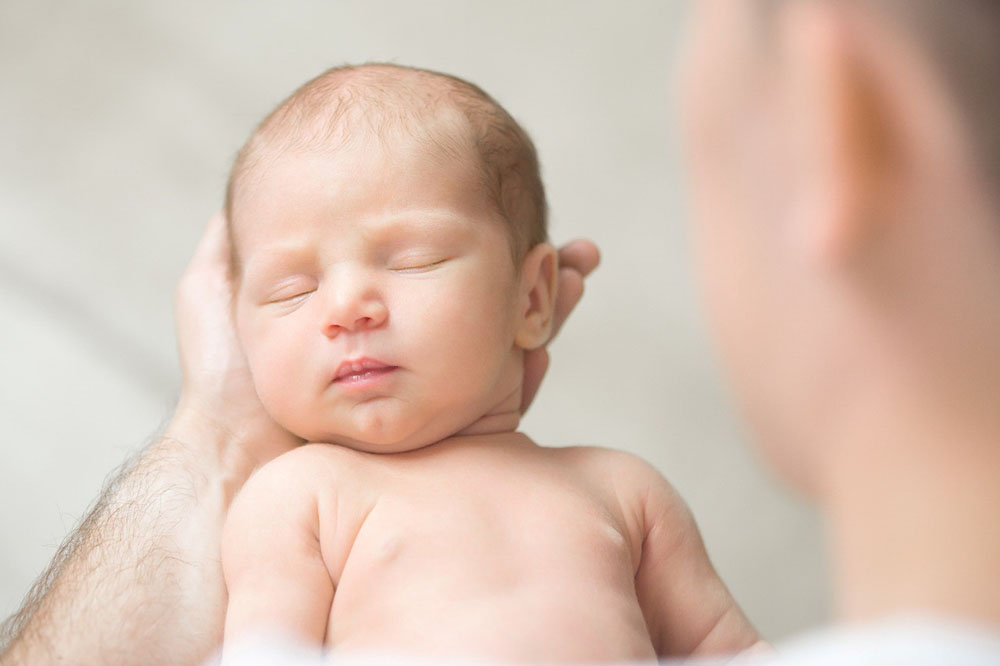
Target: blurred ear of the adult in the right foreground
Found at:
840, 128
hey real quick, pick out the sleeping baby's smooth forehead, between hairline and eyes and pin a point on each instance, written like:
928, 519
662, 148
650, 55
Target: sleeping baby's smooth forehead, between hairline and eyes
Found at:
396, 193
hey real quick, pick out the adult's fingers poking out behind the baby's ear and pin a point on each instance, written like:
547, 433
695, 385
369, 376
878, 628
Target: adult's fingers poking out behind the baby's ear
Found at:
576, 261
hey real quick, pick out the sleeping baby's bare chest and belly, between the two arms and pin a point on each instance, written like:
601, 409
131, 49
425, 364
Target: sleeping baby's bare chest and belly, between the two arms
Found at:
447, 548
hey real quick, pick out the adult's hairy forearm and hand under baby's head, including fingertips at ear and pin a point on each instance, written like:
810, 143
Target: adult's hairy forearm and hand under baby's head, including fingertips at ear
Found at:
139, 581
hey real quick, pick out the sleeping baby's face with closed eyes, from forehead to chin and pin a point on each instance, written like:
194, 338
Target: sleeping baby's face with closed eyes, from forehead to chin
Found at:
378, 300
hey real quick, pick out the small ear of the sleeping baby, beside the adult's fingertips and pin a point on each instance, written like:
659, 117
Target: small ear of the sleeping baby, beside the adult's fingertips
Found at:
537, 296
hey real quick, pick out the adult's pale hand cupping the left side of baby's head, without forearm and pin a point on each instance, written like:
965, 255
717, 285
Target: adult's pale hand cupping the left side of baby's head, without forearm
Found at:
217, 392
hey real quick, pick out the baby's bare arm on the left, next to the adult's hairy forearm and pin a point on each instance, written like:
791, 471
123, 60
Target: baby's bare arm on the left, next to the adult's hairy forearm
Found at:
277, 580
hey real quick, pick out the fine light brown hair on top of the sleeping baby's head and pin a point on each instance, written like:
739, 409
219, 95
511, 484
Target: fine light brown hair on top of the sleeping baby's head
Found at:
387, 101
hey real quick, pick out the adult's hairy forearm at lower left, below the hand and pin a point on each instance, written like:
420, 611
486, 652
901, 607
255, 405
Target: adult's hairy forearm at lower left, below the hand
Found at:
139, 580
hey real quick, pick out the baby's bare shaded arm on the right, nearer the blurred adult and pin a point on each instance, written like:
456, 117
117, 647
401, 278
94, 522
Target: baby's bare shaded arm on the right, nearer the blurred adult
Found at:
687, 607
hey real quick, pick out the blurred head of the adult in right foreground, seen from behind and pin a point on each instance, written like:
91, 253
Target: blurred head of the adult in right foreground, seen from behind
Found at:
844, 170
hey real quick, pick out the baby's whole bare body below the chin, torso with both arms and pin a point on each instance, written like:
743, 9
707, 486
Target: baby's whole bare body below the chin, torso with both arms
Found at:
484, 546
